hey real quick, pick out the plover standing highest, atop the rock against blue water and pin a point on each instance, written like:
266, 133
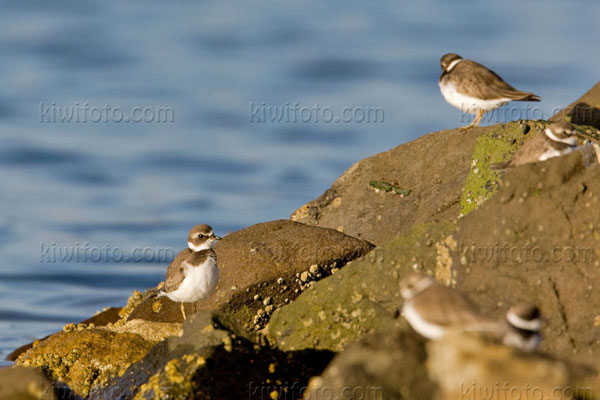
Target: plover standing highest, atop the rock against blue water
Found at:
475, 89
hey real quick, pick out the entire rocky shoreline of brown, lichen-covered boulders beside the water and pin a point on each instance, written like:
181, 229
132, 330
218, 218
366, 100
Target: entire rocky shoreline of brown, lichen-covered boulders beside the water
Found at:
310, 307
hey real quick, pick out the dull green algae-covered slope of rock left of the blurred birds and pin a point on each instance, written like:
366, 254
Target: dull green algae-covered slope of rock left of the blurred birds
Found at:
361, 298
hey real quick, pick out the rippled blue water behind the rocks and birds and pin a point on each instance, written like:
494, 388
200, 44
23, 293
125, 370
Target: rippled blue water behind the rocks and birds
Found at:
131, 185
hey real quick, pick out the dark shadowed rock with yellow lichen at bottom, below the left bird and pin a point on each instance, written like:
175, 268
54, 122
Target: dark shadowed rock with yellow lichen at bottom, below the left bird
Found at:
210, 361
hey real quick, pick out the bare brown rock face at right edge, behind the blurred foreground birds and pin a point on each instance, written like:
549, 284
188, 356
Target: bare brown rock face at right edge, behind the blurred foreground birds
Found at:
537, 241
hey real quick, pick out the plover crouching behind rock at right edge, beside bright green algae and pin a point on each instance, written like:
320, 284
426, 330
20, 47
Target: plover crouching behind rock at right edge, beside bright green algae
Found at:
559, 138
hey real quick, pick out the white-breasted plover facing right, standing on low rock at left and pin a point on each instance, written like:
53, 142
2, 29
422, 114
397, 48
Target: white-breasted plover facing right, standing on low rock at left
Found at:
193, 274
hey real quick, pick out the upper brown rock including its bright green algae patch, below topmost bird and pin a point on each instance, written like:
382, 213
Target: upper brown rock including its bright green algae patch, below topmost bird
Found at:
448, 173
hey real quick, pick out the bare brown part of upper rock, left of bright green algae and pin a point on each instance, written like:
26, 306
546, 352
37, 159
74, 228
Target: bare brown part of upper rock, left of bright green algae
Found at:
433, 167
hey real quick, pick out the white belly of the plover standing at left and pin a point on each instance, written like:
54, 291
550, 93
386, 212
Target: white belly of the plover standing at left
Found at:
199, 282
